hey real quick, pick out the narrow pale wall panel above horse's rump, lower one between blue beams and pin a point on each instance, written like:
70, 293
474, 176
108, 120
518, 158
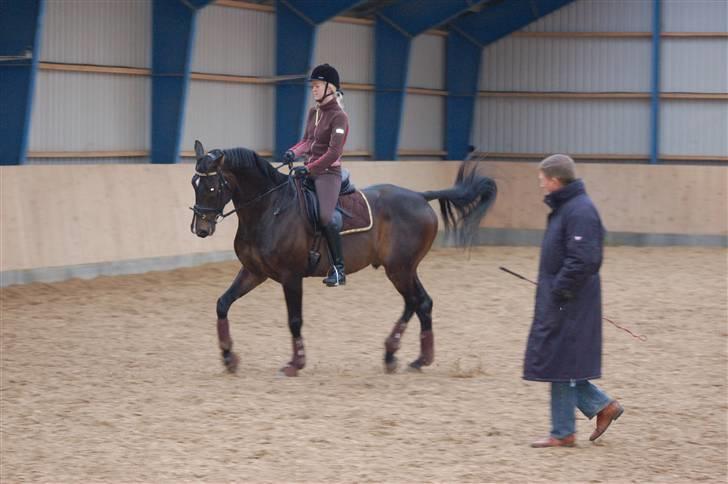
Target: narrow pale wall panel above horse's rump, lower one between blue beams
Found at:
423, 123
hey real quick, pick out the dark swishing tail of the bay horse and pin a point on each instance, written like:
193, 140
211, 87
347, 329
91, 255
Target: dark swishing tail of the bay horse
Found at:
464, 205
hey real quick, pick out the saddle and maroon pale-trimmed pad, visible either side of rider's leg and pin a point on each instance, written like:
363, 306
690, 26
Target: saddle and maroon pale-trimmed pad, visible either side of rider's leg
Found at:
353, 205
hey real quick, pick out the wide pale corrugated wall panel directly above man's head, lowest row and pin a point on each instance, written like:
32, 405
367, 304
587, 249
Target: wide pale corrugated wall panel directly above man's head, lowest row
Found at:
569, 126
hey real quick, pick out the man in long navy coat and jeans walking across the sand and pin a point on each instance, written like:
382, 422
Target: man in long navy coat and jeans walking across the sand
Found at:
565, 342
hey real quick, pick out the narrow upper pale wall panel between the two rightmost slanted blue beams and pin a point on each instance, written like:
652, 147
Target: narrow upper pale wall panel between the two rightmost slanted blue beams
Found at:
427, 62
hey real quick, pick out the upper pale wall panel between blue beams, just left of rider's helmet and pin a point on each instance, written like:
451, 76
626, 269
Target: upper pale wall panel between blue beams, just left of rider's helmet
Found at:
234, 41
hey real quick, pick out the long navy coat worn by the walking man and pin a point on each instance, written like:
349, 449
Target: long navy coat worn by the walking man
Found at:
565, 342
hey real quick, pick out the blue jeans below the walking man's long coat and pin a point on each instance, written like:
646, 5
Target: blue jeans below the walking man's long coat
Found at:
566, 396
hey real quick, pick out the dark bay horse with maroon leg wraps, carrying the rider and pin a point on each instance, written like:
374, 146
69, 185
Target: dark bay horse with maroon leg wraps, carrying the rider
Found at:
274, 238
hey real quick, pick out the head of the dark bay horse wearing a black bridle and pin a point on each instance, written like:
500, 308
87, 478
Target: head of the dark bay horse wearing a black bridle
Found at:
212, 191
